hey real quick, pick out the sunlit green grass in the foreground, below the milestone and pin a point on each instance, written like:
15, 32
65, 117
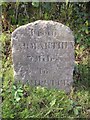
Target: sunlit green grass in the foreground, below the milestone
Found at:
23, 101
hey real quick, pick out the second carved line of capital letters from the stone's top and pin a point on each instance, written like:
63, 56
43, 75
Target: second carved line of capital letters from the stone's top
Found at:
47, 45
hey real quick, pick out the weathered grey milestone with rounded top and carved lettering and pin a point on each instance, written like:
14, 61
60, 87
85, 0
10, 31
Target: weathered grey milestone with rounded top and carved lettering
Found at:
43, 54
